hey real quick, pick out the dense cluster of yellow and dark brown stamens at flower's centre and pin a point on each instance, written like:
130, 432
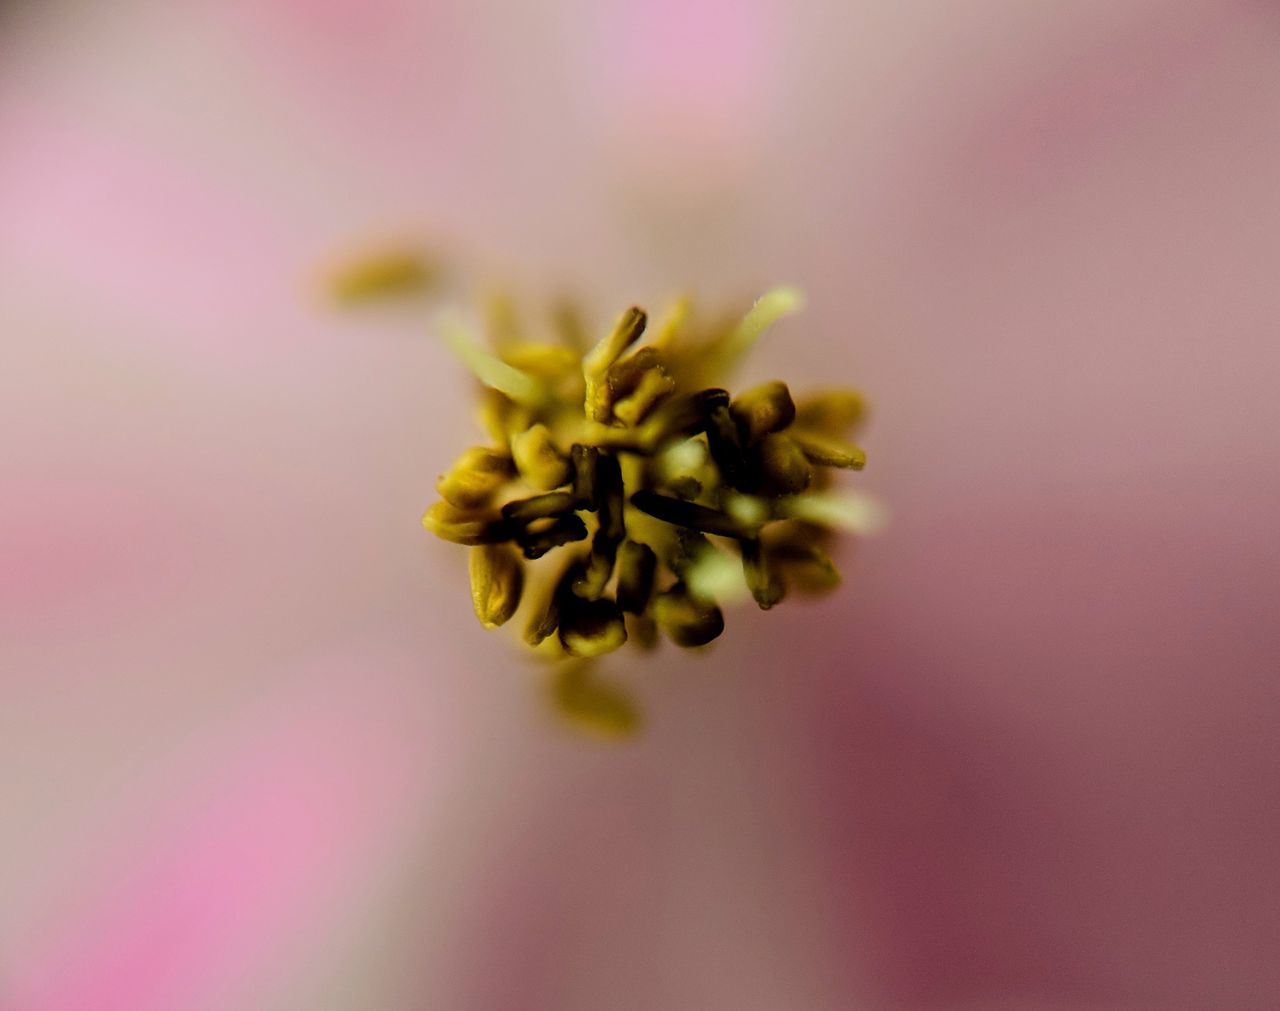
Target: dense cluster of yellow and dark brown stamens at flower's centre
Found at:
653, 496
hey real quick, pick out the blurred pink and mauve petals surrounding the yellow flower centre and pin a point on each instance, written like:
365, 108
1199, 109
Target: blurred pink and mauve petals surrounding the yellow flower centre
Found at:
257, 754
